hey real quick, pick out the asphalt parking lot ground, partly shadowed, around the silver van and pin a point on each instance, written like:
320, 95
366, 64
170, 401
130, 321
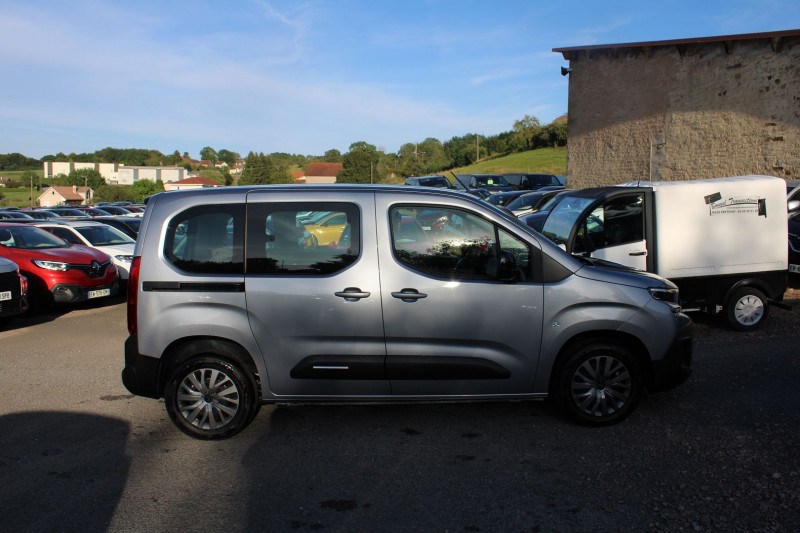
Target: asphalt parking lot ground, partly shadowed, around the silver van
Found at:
78, 453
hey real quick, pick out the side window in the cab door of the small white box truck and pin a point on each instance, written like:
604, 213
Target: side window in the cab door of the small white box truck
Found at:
619, 221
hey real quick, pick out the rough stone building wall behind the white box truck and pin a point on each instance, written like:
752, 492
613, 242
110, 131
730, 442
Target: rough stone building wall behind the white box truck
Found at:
687, 111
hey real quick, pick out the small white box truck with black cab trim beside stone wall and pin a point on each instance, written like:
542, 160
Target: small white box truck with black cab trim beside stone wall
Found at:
722, 241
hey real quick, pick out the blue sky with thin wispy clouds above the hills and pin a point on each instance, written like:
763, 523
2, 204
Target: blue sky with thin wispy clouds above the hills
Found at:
307, 76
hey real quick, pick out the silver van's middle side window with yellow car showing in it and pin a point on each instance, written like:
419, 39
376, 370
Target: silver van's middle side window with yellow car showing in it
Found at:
310, 238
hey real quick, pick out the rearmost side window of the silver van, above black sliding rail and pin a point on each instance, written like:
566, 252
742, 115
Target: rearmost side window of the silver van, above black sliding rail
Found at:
207, 240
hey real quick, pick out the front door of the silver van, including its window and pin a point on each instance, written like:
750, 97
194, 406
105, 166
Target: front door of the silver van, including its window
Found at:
452, 328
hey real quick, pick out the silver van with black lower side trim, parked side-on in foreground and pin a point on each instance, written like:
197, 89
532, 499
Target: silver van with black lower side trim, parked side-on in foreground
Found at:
243, 296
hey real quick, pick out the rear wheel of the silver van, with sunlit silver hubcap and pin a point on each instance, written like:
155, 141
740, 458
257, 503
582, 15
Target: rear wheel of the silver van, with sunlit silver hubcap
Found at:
208, 397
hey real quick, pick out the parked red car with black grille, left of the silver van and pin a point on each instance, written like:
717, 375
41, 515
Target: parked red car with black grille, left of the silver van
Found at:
57, 272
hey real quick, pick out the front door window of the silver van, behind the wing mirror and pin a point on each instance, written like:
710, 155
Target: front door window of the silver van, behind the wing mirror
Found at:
451, 243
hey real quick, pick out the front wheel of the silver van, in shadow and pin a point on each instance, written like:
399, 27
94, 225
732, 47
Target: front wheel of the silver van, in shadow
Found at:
600, 383
